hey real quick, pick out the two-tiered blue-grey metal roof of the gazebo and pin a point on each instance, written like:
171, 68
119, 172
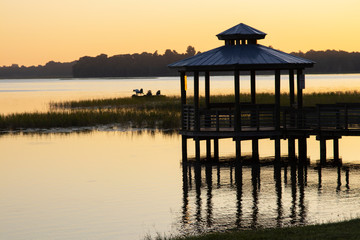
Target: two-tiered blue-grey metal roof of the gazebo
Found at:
251, 56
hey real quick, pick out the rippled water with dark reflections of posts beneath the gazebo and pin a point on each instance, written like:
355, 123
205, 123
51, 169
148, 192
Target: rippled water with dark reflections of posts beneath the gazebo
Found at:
242, 195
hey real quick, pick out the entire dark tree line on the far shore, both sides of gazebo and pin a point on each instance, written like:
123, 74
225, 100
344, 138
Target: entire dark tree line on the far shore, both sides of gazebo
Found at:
154, 64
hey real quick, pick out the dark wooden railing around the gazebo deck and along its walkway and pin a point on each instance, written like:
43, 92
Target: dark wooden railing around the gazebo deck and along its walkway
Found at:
342, 116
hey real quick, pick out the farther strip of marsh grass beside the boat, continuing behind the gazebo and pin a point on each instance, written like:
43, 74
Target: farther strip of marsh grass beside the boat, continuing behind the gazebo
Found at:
173, 103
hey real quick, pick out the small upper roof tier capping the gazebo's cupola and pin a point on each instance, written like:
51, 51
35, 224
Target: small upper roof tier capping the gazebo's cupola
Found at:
241, 31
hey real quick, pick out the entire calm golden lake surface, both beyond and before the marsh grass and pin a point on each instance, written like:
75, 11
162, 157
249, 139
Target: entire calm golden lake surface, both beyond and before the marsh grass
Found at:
117, 184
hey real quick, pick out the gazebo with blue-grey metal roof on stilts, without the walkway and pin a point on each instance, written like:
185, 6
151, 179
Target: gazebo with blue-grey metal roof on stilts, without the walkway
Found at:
238, 120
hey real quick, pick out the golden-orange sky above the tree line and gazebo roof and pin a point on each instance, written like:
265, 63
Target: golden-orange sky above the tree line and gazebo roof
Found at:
36, 31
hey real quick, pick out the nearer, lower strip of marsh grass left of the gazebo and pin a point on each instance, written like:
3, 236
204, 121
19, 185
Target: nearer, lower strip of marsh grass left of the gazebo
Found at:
83, 118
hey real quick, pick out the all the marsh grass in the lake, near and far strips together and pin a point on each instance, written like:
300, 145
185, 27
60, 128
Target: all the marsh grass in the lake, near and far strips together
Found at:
159, 112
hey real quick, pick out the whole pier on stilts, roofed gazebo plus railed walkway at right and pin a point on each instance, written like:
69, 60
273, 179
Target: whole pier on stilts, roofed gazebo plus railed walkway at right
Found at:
241, 121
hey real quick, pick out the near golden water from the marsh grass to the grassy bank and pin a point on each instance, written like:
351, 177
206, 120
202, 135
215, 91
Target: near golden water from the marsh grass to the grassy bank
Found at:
126, 184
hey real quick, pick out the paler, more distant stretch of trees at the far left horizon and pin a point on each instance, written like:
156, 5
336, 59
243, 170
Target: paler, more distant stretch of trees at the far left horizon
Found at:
50, 70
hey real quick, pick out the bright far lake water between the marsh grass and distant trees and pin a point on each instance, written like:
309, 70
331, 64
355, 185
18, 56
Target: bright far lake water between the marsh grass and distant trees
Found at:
34, 94
